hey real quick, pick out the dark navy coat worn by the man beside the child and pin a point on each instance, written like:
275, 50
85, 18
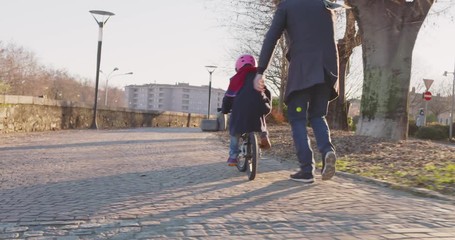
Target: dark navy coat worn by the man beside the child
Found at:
312, 55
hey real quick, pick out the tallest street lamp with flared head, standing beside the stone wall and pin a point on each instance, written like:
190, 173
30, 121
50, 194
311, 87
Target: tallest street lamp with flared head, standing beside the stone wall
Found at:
104, 17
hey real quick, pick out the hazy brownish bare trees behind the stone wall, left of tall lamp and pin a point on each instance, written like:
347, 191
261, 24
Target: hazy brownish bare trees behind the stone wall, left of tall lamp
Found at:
22, 74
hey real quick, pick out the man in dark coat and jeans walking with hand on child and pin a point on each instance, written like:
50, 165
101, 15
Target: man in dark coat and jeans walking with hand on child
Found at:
312, 77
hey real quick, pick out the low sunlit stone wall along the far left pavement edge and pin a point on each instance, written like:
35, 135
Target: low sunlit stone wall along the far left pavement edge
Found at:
29, 114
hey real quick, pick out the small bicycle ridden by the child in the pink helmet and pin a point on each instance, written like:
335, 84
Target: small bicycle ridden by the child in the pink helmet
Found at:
249, 154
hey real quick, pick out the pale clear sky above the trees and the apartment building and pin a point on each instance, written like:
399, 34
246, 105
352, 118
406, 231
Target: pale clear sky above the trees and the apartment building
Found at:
166, 41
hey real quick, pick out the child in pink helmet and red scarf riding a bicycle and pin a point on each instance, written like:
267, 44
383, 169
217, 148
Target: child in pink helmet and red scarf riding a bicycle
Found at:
249, 107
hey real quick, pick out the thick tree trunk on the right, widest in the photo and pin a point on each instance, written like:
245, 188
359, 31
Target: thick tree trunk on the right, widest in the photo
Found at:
389, 30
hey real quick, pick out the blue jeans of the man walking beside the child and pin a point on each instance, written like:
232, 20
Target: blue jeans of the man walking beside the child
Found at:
310, 104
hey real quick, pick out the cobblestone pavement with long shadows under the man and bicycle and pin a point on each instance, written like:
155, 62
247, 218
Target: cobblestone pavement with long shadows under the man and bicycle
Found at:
171, 183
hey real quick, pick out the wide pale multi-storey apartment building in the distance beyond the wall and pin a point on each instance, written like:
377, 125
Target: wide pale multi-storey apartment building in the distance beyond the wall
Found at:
180, 97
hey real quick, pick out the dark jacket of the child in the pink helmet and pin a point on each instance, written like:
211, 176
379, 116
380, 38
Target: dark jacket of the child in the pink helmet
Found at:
249, 107
